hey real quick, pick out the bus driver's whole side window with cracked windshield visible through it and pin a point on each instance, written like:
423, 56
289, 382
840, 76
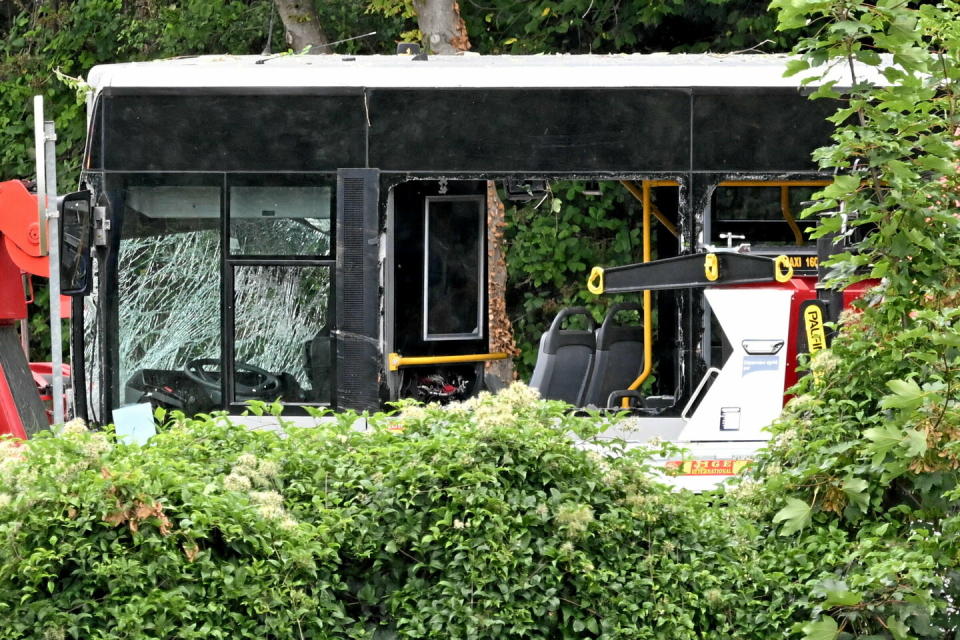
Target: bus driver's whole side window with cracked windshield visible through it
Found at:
171, 315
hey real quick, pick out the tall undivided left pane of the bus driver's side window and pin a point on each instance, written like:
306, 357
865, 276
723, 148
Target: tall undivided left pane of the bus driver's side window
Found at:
168, 294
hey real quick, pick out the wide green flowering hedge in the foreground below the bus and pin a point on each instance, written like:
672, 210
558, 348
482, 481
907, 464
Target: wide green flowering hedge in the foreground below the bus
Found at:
483, 520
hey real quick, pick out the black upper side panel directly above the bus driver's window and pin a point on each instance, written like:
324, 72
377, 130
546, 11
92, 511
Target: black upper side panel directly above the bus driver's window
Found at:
234, 132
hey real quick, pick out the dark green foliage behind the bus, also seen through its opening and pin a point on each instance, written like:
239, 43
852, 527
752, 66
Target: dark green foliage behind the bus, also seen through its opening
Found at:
44, 39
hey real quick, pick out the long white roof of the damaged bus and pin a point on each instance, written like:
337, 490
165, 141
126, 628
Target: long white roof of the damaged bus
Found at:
462, 71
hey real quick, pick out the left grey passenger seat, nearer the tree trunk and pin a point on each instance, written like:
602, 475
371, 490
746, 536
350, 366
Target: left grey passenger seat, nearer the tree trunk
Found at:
565, 359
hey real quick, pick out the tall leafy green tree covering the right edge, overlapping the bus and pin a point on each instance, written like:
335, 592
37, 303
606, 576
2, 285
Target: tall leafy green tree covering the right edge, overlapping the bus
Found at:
864, 462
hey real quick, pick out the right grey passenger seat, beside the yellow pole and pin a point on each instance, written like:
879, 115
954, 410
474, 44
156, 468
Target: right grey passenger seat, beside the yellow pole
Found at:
619, 356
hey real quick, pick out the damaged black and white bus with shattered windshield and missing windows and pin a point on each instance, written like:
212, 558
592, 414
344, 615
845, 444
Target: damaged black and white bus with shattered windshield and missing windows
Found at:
314, 229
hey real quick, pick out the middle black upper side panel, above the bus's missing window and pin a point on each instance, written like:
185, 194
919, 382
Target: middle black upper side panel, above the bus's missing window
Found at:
530, 129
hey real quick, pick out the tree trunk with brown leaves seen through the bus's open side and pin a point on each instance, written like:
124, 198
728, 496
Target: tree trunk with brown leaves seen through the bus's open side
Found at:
501, 329
